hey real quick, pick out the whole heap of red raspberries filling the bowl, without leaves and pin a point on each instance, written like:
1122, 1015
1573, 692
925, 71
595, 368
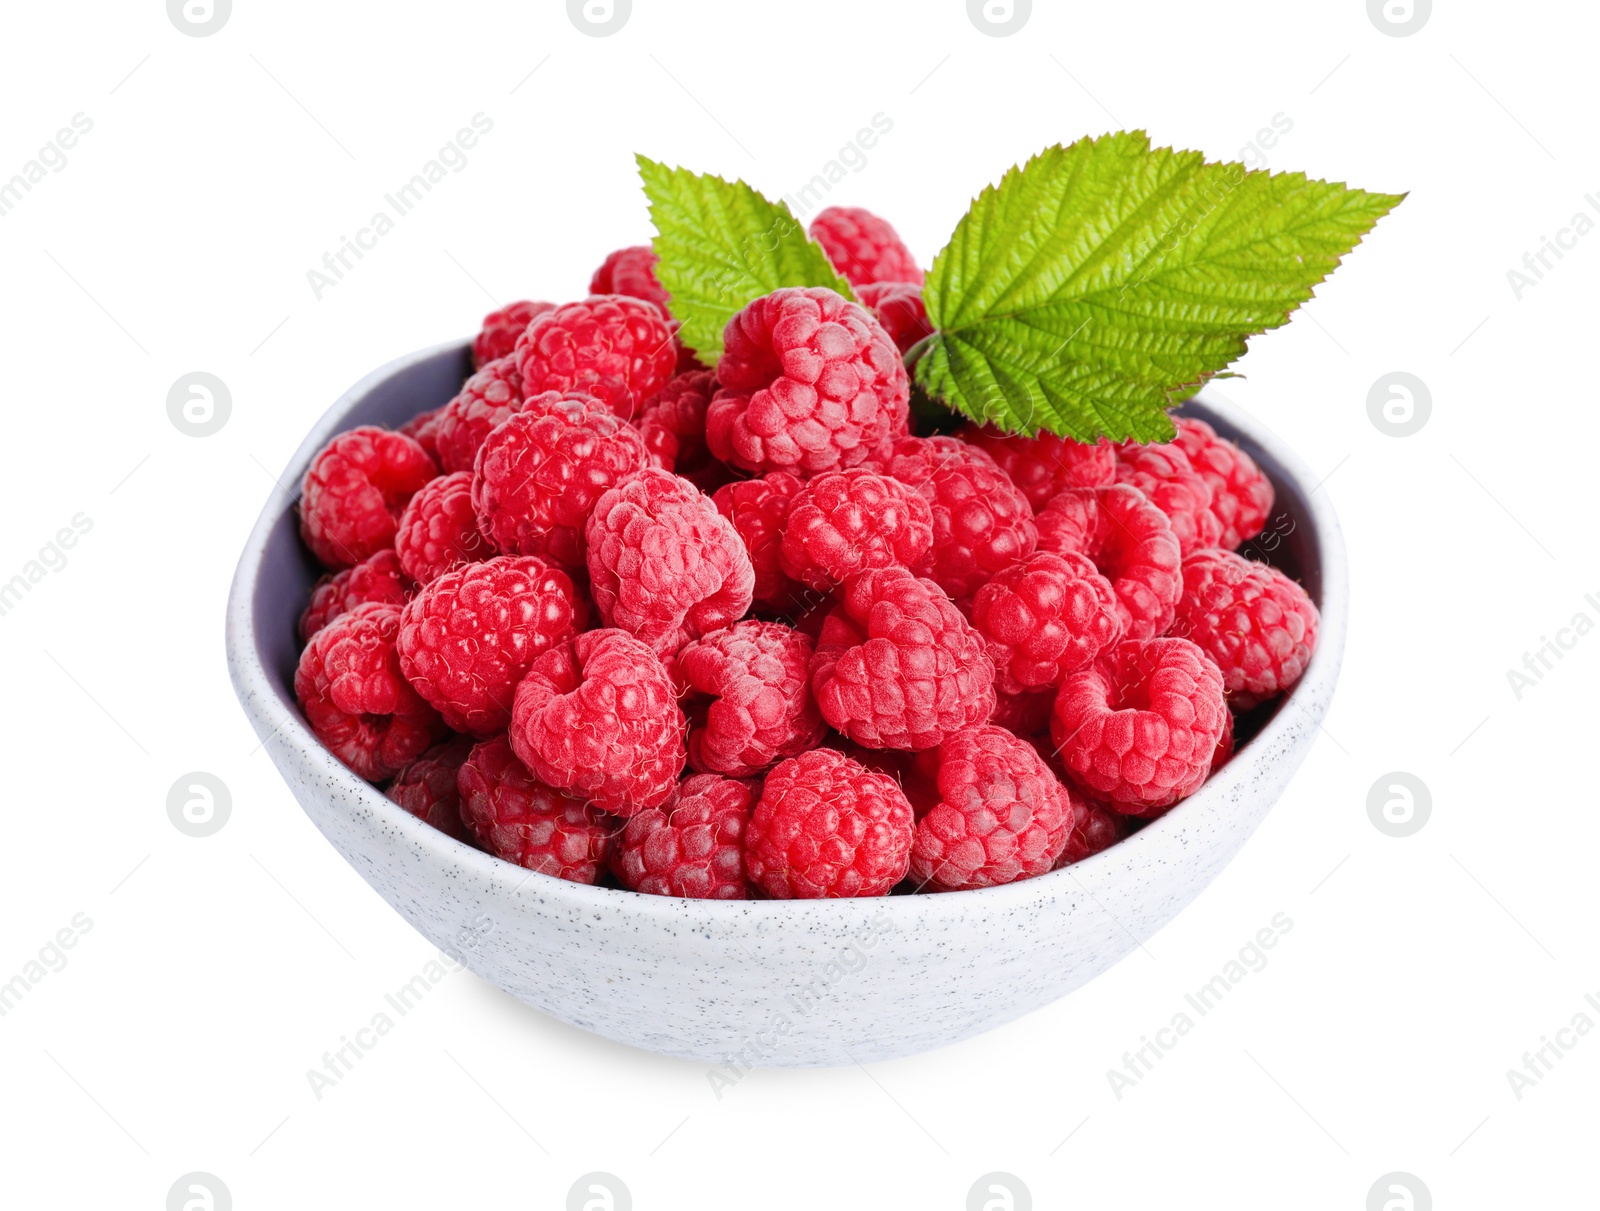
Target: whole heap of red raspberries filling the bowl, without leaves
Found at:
740, 633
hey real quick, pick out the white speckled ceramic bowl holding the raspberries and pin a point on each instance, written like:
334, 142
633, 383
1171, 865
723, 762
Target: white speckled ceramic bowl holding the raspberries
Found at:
793, 983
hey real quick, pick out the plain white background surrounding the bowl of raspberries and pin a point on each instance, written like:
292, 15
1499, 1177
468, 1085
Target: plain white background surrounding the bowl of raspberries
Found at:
218, 972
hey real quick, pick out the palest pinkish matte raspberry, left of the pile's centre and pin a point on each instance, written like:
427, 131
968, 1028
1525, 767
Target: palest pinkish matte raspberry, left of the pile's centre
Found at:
663, 564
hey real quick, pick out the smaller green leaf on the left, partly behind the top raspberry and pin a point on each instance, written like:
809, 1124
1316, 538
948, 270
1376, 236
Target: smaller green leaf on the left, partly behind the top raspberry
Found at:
721, 247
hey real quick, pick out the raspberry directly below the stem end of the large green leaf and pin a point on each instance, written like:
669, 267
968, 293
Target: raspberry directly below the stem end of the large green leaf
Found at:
982, 524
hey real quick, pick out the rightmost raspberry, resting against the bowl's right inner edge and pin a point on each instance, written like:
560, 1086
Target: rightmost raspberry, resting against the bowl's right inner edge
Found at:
1257, 623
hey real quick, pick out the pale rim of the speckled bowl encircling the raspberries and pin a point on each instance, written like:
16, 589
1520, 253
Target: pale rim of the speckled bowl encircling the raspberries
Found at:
508, 881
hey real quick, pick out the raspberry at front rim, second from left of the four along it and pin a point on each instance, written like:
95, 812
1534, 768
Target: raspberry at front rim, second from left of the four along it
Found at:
694, 845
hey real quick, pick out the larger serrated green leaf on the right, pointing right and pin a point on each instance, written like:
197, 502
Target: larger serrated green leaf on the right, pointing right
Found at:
1102, 282
